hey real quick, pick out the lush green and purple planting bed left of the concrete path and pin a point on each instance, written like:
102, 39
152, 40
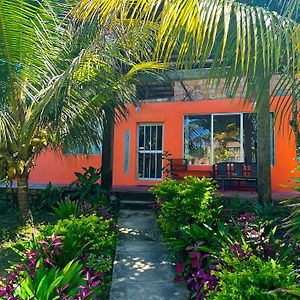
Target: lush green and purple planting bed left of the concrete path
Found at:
69, 259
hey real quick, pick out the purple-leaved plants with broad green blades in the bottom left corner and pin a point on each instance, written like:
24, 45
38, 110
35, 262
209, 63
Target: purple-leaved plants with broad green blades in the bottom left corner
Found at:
39, 275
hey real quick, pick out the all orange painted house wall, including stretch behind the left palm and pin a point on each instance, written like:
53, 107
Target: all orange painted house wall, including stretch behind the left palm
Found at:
60, 169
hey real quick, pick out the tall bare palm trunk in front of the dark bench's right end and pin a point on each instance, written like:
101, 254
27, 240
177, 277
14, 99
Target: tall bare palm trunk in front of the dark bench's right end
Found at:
264, 149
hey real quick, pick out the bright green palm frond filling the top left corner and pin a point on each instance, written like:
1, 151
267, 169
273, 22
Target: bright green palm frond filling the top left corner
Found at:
25, 32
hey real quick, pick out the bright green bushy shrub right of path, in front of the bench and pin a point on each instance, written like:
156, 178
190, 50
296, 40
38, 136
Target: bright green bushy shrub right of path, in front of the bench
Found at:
184, 203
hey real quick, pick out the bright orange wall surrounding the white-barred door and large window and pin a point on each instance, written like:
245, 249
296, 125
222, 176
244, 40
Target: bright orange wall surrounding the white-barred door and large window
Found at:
171, 115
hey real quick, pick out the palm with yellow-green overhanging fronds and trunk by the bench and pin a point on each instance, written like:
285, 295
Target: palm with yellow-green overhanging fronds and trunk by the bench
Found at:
246, 44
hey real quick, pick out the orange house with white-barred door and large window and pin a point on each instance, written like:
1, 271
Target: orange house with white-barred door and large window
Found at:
190, 120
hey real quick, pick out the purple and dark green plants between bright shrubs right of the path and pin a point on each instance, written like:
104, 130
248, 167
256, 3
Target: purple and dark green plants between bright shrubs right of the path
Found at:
242, 238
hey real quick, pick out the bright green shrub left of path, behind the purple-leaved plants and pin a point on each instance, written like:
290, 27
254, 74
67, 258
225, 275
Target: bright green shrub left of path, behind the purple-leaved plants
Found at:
82, 234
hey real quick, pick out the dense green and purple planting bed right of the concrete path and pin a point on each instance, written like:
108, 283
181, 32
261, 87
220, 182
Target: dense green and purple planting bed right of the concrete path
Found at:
244, 252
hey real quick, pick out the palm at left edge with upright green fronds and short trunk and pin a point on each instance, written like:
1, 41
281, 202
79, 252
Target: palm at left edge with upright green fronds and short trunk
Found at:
24, 56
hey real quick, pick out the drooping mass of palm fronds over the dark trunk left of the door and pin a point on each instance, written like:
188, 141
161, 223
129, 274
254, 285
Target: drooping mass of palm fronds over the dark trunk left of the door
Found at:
99, 79
